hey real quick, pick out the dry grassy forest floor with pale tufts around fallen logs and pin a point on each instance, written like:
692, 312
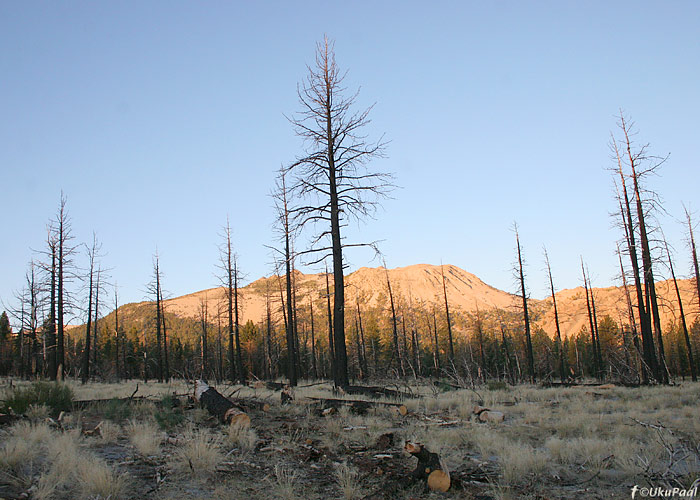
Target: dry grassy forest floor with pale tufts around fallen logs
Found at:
554, 443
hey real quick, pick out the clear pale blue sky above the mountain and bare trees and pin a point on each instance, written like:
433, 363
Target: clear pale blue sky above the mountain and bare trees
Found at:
157, 119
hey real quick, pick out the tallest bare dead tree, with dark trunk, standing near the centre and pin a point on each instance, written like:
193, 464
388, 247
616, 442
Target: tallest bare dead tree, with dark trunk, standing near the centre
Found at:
333, 175
